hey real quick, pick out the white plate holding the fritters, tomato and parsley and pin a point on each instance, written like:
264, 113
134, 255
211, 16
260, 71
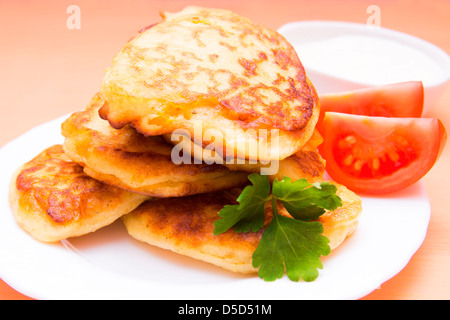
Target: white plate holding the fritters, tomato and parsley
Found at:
108, 264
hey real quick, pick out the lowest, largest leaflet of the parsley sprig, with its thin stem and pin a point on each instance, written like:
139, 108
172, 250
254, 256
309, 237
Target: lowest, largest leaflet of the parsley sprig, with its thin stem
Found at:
294, 244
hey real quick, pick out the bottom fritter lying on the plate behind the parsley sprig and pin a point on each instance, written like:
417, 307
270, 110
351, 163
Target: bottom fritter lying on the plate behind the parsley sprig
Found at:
185, 226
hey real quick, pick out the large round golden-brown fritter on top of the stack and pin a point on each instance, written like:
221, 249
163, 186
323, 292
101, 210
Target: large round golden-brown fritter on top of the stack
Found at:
215, 68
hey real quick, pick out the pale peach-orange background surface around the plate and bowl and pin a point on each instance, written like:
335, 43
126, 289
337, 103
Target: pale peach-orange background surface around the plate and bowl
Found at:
47, 70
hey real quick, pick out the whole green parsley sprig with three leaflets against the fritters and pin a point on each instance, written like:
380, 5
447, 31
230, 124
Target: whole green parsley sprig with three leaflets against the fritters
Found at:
292, 244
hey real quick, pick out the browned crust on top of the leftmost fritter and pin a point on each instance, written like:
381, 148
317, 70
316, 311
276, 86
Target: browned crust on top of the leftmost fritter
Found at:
60, 187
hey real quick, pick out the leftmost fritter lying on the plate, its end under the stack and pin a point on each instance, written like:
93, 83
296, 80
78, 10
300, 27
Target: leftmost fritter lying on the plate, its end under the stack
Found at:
53, 199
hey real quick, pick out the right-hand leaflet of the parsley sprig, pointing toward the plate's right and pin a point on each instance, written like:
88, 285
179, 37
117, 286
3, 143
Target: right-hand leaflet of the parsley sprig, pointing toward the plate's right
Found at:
304, 201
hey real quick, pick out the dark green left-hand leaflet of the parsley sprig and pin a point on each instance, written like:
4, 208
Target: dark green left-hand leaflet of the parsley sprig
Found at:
249, 213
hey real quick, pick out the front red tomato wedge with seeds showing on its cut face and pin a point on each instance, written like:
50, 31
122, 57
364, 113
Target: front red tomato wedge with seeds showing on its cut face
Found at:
379, 155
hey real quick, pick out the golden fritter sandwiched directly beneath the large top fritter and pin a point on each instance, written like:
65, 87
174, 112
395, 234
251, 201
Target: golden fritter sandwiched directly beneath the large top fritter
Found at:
130, 160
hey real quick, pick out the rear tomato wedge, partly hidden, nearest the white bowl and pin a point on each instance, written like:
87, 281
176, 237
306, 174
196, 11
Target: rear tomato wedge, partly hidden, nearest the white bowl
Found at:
404, 99
